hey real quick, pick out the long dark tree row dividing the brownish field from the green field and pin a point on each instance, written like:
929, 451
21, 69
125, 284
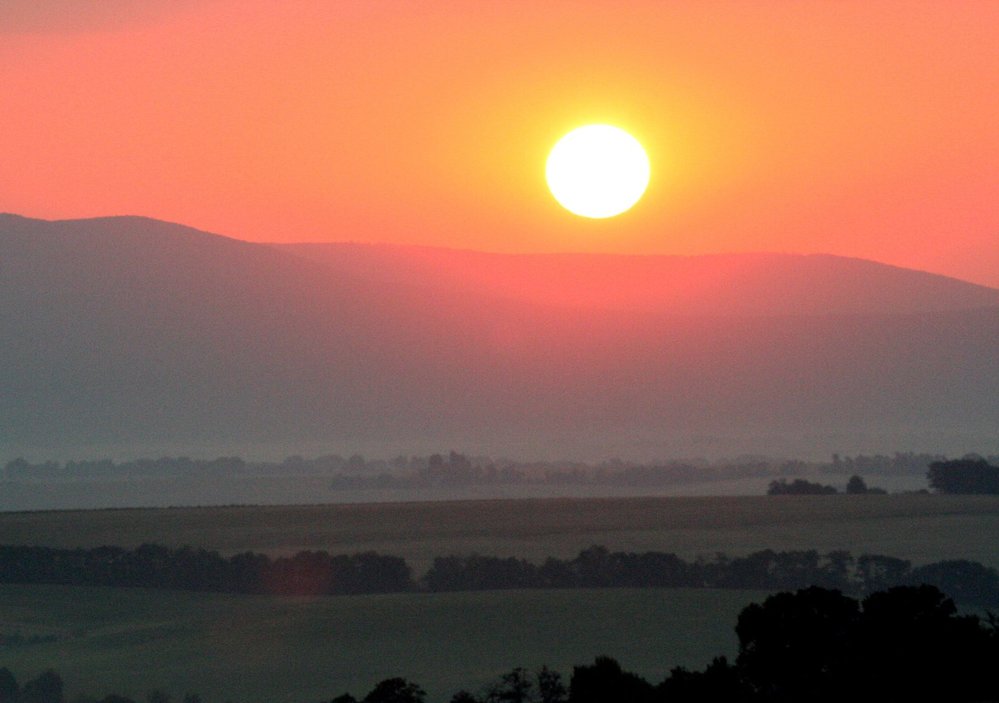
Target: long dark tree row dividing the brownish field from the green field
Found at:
319, 573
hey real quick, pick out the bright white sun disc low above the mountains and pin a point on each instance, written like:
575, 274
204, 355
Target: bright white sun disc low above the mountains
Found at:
597, 171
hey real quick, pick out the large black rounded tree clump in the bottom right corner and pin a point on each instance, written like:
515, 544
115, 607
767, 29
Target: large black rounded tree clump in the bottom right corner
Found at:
904, 644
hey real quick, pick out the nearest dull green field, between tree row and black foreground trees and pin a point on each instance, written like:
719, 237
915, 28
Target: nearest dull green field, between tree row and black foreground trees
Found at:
269, 650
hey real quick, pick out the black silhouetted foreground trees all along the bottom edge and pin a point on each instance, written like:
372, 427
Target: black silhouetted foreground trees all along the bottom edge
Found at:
907, 643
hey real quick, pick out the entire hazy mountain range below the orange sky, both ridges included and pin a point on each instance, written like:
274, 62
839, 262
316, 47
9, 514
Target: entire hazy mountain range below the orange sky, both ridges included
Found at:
129, 332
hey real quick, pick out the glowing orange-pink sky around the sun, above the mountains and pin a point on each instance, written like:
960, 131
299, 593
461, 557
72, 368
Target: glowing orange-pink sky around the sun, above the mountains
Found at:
859, 128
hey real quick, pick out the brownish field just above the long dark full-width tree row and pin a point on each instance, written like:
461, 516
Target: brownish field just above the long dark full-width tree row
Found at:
922, 528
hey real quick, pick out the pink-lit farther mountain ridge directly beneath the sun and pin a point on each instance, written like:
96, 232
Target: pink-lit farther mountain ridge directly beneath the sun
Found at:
758, 284
